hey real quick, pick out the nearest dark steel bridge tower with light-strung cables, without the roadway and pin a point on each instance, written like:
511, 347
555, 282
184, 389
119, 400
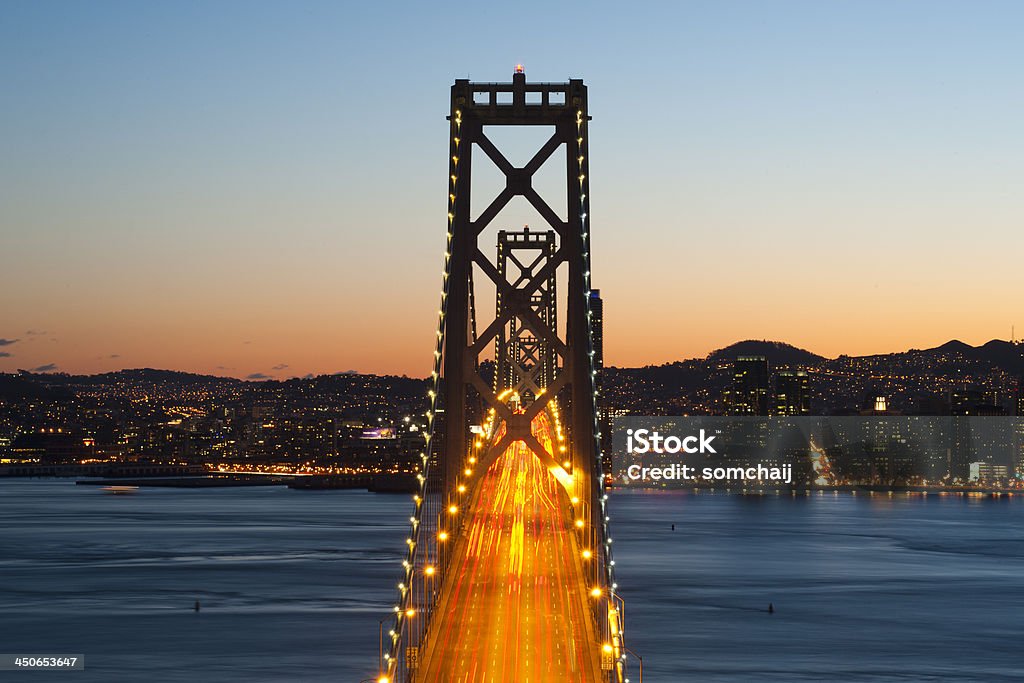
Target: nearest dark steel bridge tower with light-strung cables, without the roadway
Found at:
558, 370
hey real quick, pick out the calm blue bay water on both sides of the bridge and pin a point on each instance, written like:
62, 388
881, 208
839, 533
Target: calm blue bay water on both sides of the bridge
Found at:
293, 584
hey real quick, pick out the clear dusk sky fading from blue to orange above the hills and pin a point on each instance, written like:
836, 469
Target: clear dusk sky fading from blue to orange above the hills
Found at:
259, 189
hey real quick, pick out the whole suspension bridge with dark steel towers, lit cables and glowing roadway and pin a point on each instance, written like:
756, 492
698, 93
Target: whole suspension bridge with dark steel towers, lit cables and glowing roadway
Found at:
508, 574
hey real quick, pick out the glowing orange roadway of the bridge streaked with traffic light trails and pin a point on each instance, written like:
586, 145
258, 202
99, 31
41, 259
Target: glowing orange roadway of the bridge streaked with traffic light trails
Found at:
515, 606
